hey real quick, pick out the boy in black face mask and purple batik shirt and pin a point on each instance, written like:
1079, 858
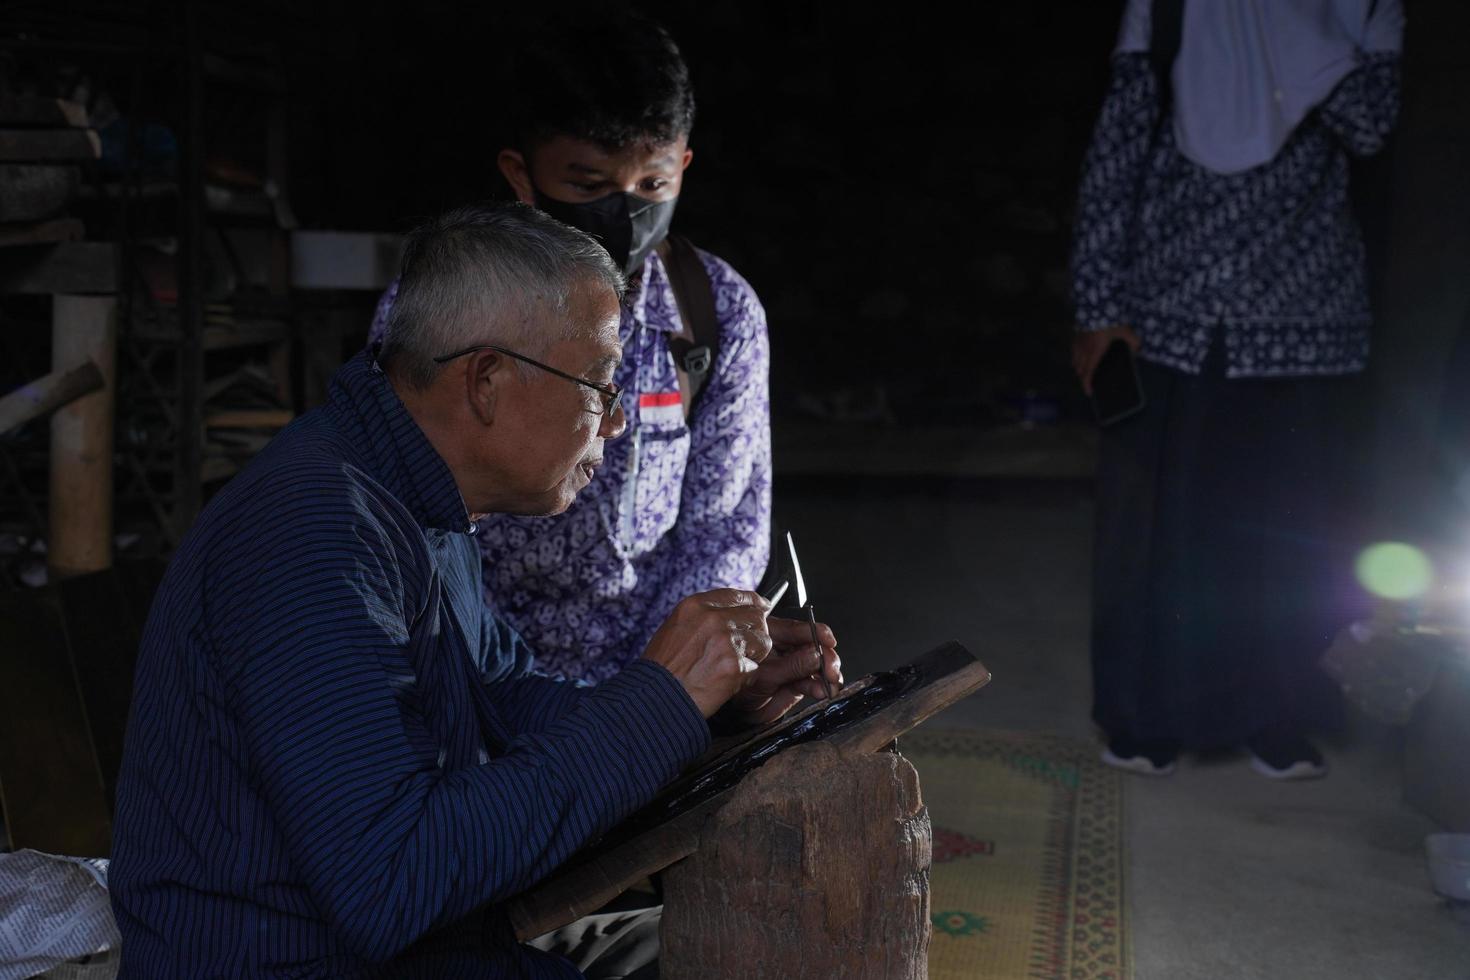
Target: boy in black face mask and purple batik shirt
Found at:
603, 115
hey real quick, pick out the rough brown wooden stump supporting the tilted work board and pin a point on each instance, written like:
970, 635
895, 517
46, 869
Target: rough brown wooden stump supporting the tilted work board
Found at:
818, 868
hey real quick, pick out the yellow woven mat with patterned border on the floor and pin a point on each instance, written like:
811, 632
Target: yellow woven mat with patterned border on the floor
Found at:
1028, 857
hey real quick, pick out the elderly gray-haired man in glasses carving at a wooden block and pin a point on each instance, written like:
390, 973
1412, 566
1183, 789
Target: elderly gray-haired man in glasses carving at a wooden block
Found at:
339, 762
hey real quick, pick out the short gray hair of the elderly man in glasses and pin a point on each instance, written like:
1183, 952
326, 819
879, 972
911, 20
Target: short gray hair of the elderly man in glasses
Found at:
480, 275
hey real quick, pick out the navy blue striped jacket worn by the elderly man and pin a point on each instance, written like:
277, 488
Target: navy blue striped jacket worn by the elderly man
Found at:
339, 763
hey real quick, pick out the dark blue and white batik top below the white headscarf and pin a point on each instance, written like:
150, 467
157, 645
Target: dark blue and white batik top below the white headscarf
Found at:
1271, 258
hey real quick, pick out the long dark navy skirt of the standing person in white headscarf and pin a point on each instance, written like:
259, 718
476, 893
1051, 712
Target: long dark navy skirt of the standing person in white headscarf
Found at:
1224, 555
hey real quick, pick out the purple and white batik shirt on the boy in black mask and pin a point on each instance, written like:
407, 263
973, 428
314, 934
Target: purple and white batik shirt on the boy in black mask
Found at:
675, 509
